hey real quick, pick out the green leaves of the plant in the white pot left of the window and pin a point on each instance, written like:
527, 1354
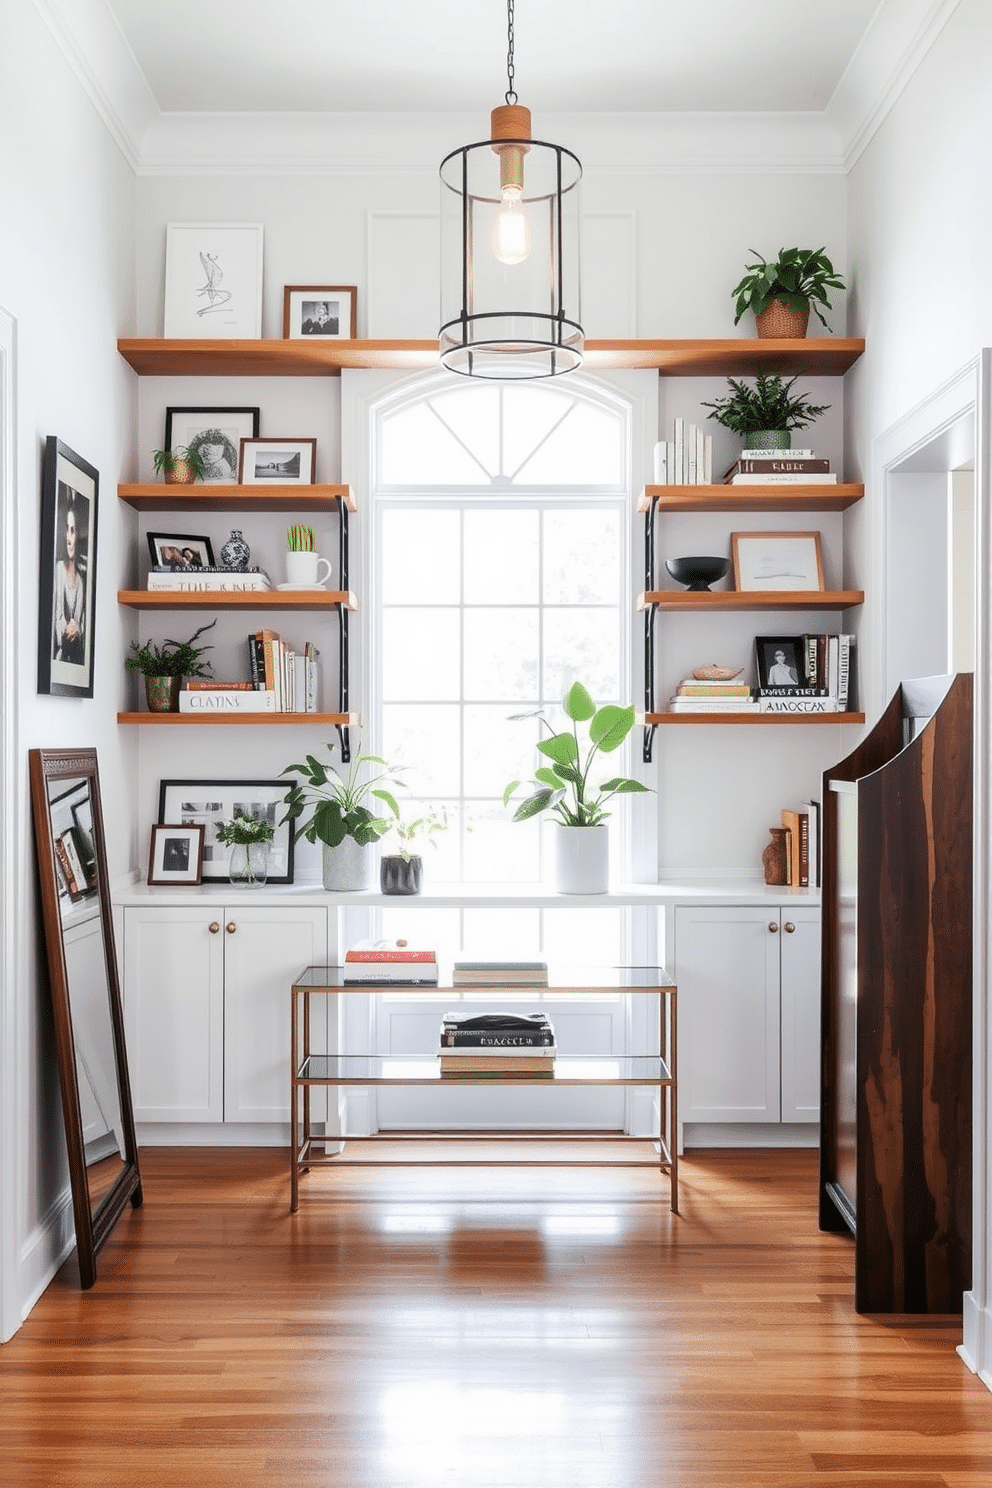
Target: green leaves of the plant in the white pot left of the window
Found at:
343, 806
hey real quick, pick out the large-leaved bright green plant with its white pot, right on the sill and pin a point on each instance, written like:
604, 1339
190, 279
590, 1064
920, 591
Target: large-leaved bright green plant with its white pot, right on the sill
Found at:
582, 852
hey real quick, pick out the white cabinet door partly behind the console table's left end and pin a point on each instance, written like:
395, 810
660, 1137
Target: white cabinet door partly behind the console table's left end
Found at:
264, 953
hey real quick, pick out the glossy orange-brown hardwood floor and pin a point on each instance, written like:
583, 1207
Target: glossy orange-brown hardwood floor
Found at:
481, 1327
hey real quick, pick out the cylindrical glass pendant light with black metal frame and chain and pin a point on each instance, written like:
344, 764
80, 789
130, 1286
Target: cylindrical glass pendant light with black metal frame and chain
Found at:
509, 251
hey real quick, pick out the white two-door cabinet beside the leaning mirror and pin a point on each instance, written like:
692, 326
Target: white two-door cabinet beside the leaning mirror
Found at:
207, 1008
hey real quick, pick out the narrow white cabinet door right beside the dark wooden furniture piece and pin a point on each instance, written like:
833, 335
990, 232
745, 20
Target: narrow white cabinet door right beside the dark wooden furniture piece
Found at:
801, 1014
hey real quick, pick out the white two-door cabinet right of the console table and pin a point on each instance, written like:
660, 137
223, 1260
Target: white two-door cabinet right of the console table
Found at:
749, 1013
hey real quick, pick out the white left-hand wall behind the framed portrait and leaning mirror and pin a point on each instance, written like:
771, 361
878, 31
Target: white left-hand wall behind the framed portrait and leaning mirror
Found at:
68, 280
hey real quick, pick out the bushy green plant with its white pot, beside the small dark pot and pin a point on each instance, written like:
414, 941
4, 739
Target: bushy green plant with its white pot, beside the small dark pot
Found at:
344, 813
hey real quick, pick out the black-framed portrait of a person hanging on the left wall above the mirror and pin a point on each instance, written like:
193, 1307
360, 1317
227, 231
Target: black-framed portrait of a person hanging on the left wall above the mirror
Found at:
68, 580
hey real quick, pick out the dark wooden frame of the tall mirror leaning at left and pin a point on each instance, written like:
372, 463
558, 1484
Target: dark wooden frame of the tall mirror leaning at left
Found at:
93, 1222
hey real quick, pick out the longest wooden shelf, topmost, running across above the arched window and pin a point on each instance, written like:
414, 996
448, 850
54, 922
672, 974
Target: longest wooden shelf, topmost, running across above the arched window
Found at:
735, 356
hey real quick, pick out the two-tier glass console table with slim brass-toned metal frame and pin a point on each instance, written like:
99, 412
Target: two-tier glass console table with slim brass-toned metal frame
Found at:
318, 1068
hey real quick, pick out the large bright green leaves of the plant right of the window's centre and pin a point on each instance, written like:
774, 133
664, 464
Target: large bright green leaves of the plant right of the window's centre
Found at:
563, 785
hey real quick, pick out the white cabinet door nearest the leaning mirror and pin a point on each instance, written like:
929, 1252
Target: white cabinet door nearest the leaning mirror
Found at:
175, 1014
